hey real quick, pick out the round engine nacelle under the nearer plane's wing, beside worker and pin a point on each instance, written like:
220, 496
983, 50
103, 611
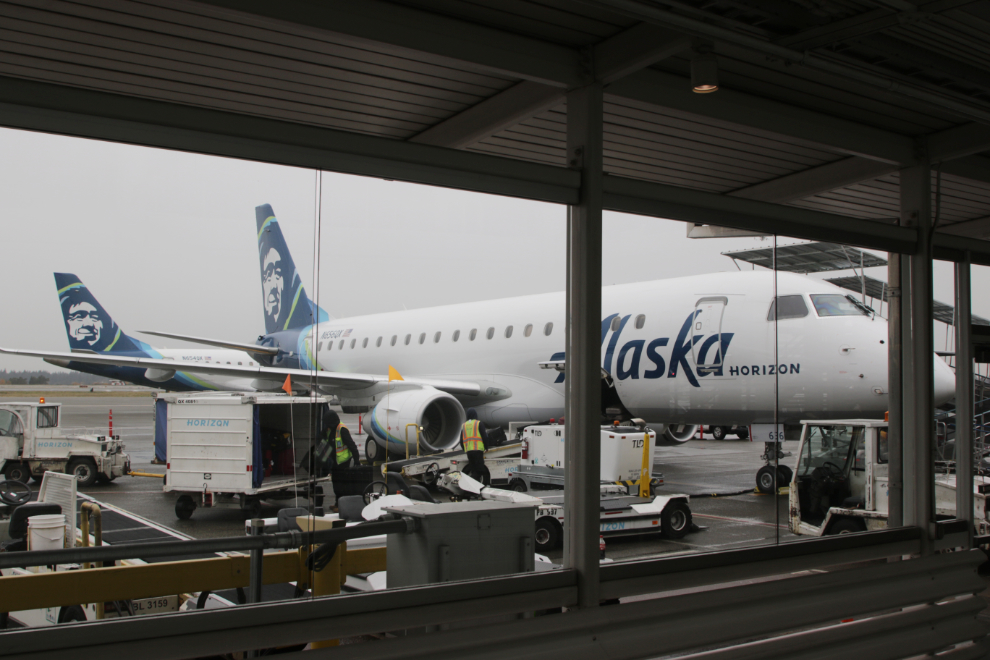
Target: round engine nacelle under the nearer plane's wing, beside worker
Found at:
440, 416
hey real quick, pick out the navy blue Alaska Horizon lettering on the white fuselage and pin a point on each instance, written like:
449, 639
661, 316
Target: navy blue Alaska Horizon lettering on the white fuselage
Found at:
629, 361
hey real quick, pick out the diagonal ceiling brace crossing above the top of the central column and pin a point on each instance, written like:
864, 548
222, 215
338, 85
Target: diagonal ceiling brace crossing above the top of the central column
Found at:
614, 58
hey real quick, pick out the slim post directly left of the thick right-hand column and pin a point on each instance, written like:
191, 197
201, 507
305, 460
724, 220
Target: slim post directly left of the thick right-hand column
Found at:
895, 436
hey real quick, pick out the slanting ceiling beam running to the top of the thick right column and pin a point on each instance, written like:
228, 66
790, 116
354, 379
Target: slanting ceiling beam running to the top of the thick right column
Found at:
815, 180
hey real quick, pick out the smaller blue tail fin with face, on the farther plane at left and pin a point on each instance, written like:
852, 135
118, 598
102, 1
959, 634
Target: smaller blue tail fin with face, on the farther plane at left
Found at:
87, 323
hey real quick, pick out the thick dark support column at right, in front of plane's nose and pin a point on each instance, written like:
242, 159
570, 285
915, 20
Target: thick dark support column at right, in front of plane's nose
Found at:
919, 403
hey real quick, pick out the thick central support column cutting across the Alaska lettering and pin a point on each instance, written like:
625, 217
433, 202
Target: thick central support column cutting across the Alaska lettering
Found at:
583, 342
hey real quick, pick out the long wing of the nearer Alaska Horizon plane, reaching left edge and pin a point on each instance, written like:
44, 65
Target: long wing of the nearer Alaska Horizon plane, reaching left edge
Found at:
340, 383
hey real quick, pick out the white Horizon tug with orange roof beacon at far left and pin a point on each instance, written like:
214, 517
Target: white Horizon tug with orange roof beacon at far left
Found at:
32, 443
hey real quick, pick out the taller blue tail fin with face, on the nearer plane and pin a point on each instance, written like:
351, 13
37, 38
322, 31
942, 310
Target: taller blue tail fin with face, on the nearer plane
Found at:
284, 298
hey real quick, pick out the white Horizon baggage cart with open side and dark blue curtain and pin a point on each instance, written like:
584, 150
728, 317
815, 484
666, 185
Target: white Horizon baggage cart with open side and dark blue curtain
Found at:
232, 449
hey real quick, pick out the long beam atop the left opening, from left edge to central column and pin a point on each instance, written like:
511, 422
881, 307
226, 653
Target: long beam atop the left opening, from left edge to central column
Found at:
50, 108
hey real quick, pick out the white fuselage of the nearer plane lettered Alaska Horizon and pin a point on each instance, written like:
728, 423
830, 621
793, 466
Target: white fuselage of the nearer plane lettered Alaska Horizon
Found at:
796, 368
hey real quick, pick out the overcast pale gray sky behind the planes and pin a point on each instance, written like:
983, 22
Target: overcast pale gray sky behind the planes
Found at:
165, 240
